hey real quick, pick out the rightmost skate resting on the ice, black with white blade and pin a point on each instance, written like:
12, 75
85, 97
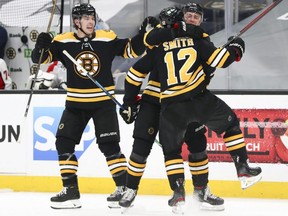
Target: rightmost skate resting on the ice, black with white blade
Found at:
207, 200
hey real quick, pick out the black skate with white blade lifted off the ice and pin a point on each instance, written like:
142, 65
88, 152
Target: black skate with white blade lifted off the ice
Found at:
248, 176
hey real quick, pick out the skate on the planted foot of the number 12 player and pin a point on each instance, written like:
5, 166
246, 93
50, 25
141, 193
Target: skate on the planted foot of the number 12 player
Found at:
178, 198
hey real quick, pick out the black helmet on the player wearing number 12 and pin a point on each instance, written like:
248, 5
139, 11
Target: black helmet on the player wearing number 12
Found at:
170, 15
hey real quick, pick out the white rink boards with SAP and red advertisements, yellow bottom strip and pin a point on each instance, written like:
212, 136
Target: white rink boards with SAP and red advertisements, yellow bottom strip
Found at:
31, 164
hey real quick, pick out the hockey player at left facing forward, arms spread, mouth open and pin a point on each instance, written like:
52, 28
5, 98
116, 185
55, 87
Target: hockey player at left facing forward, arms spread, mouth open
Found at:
94, 50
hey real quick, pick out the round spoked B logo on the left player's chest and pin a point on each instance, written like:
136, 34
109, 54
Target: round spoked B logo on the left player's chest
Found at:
90, 62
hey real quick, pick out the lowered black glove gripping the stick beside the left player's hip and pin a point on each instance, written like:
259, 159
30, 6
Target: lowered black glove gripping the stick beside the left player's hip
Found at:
131, 111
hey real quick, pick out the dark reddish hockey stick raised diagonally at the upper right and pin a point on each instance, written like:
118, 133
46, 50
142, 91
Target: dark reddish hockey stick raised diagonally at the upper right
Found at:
255, 20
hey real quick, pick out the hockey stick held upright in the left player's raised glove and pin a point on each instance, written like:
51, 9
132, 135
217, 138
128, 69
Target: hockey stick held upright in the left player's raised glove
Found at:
36, 74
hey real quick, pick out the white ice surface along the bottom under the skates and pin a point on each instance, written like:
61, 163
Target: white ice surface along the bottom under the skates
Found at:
37, 204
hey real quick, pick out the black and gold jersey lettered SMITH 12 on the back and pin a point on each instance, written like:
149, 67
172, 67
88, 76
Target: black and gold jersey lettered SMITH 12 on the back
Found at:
178, 65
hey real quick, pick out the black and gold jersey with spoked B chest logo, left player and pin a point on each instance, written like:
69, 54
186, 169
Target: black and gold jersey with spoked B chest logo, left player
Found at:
95, 55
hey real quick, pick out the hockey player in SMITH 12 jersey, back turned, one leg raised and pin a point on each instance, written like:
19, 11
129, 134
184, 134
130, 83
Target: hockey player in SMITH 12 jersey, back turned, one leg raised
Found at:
185, 99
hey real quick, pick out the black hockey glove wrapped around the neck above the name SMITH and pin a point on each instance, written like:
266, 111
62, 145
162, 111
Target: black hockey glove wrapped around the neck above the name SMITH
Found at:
181, 29
